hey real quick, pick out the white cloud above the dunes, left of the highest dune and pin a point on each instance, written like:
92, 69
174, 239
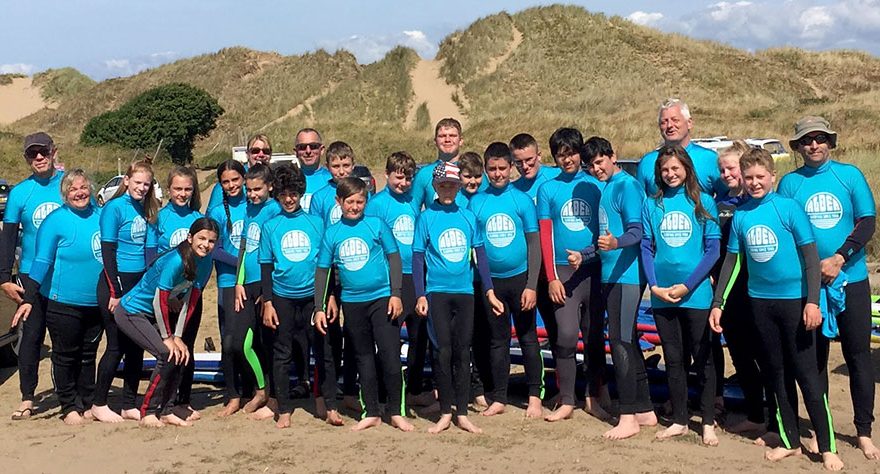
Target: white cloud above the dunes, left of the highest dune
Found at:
368, 49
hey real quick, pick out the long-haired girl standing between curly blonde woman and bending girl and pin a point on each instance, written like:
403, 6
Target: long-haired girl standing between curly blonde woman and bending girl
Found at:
124, 221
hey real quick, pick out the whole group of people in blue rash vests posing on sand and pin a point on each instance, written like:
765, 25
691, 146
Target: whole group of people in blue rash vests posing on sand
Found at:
310, 264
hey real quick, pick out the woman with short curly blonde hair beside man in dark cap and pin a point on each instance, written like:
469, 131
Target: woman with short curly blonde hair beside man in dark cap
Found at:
65, 272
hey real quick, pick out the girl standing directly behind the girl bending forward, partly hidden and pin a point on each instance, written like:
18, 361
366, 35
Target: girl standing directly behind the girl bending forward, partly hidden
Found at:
171, 228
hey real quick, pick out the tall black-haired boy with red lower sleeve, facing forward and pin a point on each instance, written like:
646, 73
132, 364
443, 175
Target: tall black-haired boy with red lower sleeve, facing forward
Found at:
568, 208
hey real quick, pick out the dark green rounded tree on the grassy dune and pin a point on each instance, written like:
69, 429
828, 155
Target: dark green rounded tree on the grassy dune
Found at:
175, 114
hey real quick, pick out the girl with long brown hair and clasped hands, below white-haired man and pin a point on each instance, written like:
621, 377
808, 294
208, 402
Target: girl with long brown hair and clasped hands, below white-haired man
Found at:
680, 222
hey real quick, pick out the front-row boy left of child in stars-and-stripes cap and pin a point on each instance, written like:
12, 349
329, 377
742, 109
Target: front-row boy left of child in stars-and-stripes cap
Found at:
365, 253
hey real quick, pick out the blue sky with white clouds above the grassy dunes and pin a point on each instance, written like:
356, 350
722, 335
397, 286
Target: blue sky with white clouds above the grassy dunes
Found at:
110, 38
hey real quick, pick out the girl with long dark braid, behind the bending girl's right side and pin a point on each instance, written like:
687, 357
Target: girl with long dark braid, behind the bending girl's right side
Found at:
230, 216
